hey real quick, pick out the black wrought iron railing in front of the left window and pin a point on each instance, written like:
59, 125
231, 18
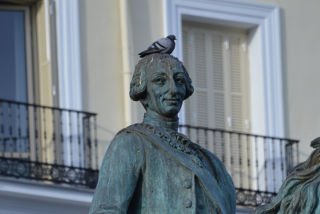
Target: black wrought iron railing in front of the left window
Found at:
49, 144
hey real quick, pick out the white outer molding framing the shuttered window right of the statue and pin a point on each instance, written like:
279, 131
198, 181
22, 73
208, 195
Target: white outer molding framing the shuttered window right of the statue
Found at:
247, 15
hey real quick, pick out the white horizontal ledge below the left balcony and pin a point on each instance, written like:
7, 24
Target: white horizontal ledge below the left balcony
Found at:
20, 196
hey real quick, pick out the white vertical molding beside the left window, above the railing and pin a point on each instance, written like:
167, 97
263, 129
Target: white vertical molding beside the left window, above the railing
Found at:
68, 42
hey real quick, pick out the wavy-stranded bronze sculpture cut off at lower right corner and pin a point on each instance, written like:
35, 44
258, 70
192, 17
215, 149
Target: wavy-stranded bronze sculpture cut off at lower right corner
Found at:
300, 192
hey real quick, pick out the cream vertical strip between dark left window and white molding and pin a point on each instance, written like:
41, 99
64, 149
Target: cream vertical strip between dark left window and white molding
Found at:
42, 79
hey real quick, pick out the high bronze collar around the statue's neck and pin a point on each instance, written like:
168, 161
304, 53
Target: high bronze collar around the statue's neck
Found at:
153, 119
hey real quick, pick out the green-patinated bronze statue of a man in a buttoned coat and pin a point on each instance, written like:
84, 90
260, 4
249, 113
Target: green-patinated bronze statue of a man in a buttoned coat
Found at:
149, 167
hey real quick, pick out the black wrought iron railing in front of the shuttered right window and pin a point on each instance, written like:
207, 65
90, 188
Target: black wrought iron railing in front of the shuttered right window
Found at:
258, 164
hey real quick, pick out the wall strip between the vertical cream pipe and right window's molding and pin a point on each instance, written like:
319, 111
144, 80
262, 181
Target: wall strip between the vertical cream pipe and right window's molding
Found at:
145, 23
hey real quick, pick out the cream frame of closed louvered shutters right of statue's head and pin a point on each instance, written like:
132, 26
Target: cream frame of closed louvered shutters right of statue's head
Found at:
226, 34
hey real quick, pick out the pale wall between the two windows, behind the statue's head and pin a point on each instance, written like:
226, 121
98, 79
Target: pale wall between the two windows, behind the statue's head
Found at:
102, 57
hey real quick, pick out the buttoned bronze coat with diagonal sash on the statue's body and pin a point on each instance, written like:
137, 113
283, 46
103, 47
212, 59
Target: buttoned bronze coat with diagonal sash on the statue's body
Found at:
142, 174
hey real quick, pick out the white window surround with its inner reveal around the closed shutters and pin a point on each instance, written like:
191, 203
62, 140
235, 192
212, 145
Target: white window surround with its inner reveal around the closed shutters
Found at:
263, 20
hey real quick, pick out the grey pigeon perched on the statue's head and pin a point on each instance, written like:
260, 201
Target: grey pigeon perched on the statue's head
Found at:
164, 45
